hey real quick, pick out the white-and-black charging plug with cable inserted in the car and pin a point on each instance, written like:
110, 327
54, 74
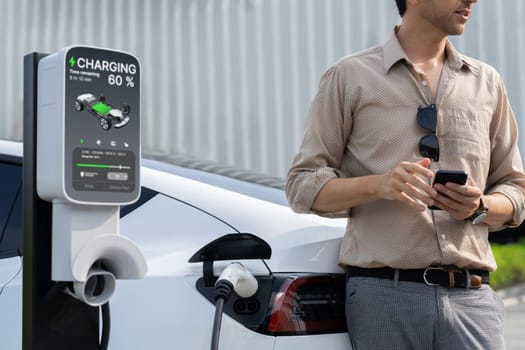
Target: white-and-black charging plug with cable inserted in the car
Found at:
235, 277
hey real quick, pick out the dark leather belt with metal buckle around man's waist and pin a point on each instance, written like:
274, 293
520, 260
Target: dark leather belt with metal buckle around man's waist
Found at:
432, 276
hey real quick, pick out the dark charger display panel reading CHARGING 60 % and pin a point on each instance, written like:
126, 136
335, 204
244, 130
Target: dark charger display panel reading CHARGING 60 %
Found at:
102, 121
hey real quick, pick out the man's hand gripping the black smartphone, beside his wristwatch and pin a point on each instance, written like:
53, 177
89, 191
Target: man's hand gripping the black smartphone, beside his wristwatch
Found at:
461, 201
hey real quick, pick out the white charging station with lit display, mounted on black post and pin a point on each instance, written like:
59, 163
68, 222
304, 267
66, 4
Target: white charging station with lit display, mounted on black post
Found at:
86, 144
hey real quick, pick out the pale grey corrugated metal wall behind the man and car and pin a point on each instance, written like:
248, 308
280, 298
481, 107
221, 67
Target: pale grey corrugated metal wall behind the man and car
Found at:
230, 81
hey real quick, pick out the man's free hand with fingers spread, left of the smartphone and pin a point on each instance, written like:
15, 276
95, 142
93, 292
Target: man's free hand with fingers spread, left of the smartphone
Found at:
408, 183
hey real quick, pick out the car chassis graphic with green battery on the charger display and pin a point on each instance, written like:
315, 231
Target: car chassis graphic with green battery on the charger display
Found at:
107, 114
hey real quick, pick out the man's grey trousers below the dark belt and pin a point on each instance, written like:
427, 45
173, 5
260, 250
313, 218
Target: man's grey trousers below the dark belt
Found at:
386, 314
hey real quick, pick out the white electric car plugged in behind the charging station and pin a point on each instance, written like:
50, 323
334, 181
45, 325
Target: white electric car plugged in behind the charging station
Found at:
300, 300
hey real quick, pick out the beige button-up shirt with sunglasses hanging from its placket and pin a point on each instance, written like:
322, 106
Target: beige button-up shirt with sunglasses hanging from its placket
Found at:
363, 121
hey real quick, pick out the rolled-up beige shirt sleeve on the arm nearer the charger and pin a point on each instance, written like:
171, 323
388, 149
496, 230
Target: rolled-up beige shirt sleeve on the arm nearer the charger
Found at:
322, 149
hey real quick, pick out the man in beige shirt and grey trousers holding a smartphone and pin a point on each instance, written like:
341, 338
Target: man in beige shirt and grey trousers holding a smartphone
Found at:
382, 123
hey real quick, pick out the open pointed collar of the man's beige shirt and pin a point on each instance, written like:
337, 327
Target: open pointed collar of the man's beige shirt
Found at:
393, 53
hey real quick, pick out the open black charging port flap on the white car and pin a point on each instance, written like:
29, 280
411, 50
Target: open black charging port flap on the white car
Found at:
232, 246
